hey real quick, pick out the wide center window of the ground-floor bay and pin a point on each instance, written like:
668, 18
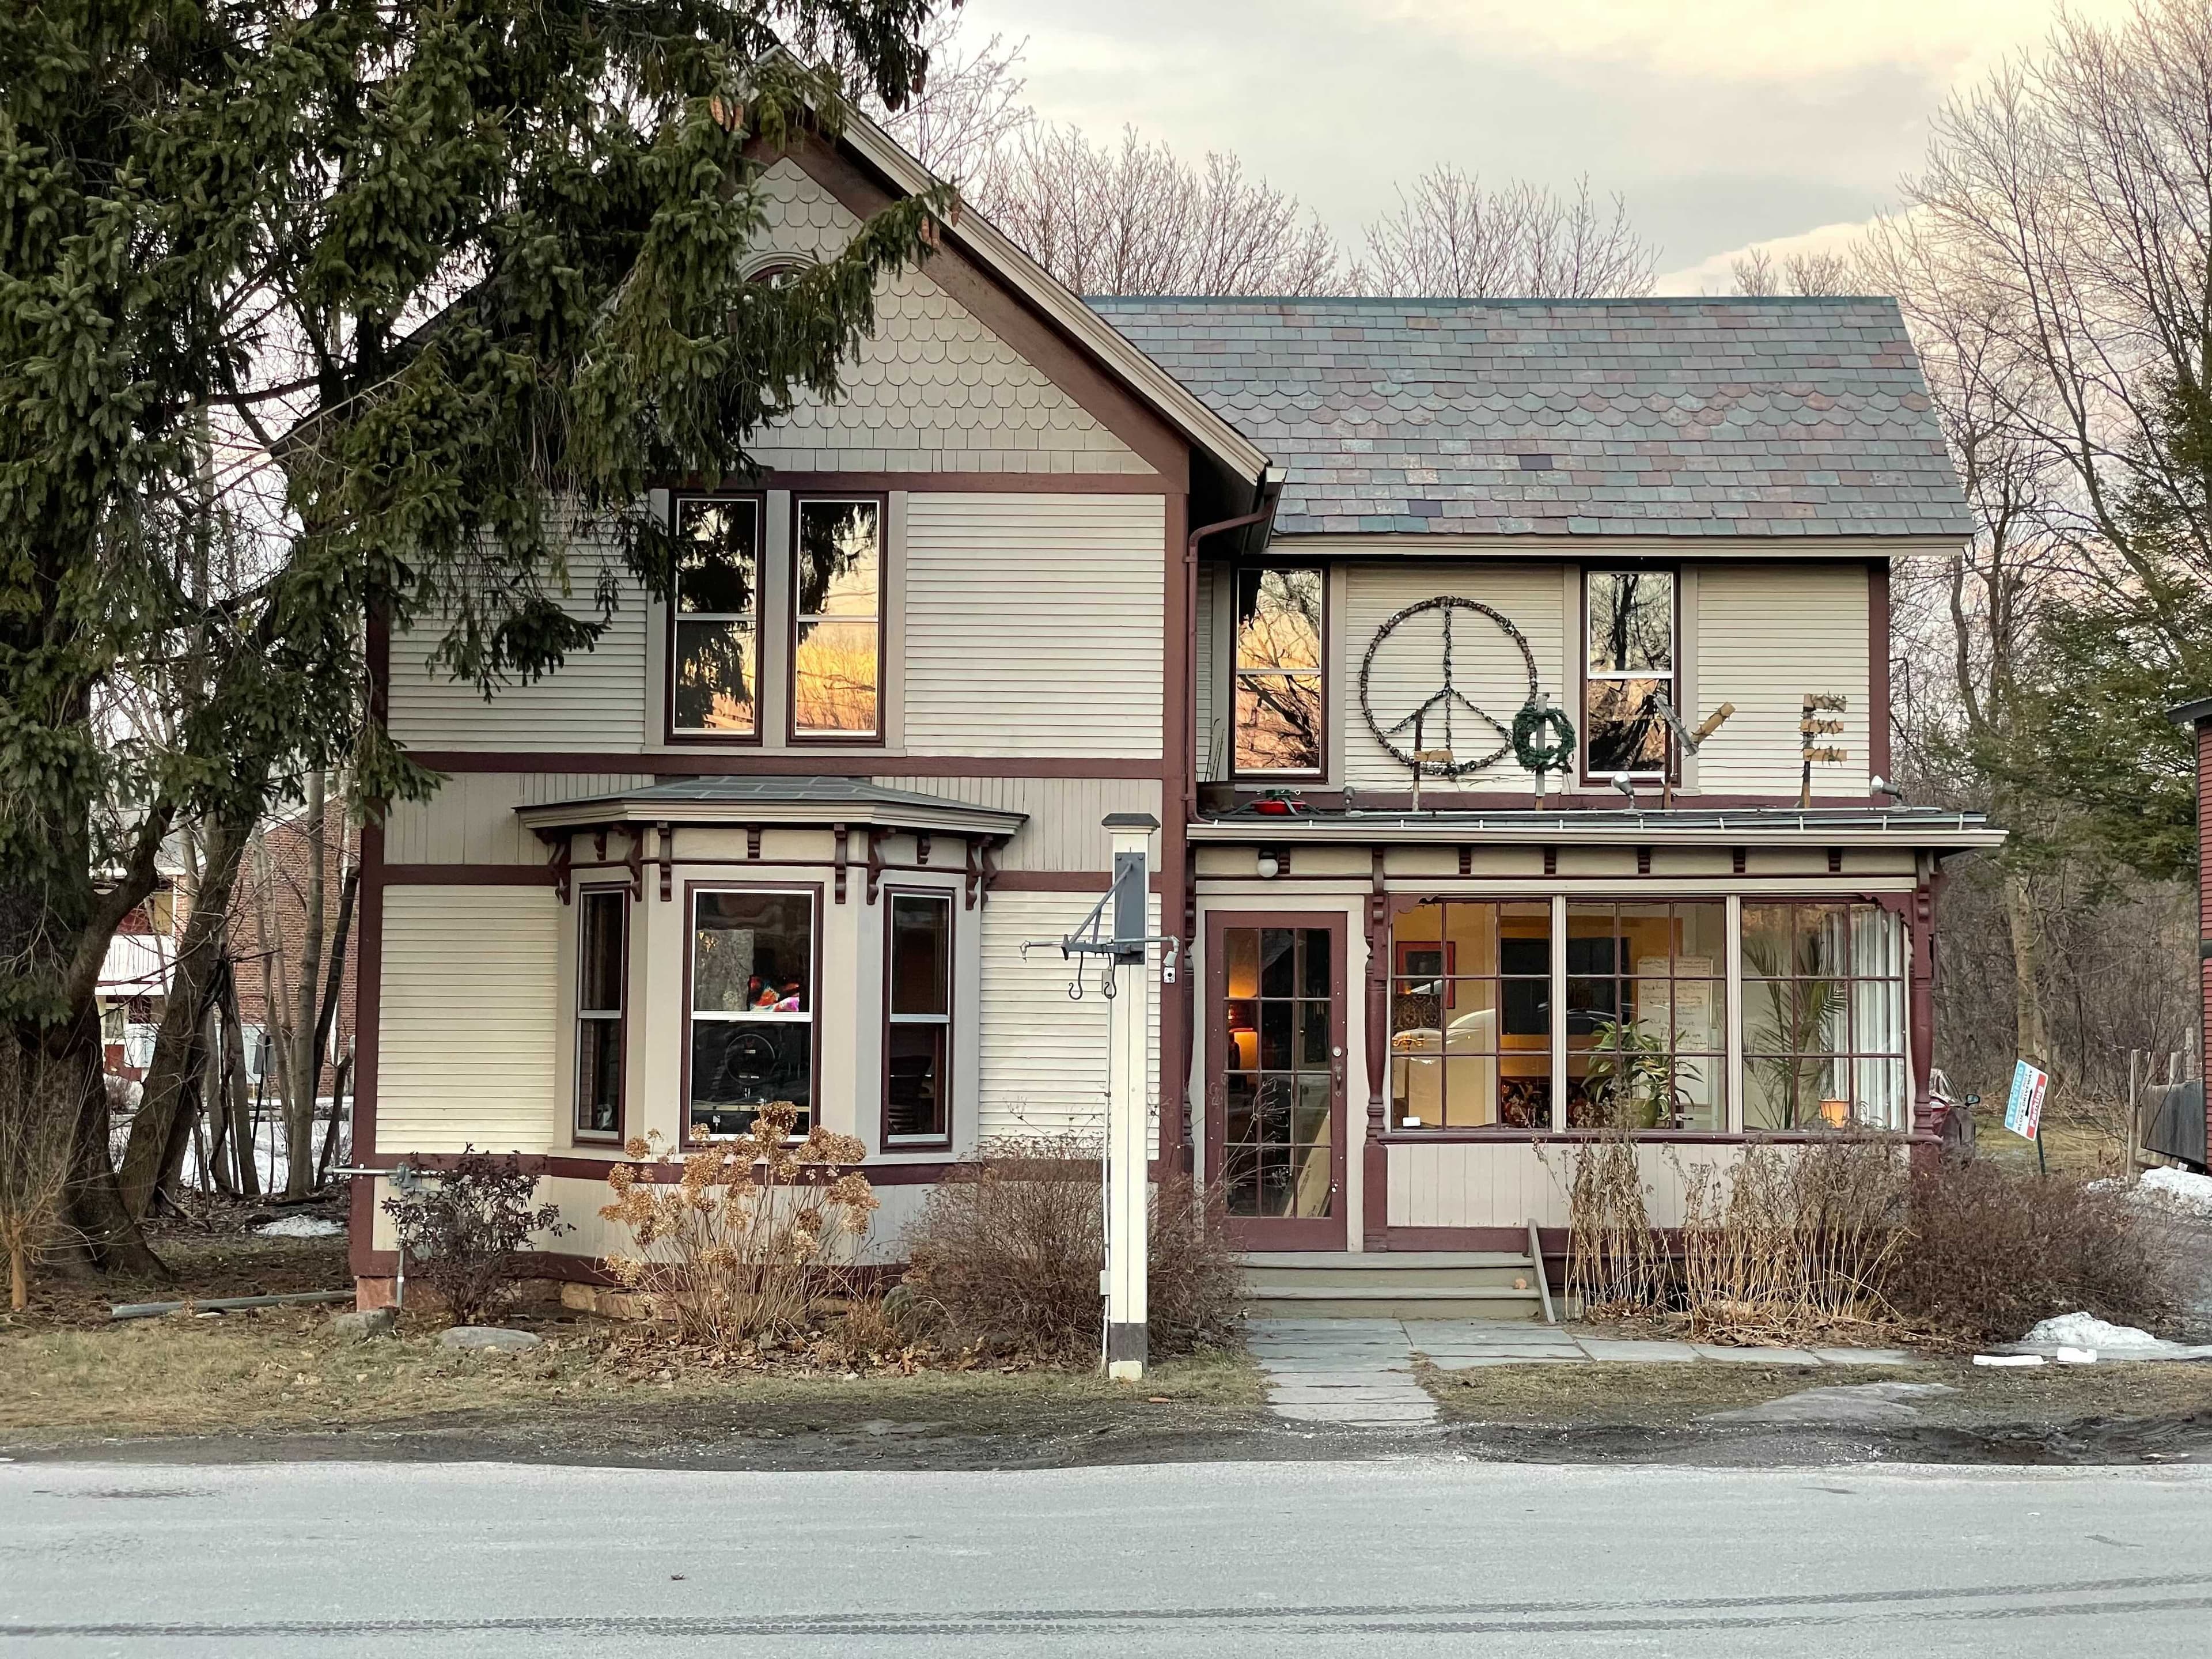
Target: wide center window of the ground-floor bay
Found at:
751, 1008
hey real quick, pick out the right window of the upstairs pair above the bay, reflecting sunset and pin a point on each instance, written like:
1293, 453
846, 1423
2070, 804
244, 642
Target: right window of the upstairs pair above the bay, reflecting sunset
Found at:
837, 647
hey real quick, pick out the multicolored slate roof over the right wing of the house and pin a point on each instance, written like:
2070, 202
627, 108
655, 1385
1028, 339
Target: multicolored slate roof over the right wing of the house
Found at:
1614, 417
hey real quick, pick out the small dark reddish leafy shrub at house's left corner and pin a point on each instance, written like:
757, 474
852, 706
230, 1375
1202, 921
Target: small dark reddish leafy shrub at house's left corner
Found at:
466, 1233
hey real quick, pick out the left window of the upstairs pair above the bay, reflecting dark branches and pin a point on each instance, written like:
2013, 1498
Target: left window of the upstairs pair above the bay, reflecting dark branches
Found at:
718, 618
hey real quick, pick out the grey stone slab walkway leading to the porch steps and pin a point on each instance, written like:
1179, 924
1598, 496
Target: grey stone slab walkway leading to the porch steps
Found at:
1359, 1373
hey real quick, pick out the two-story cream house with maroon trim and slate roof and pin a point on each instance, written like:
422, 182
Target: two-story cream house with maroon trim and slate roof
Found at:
1311, 583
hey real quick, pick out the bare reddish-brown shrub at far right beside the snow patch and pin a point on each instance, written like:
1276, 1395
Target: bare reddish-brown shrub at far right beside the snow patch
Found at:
1996, 1251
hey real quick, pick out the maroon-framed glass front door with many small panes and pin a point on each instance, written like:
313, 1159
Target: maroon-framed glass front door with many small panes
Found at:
1277, 1087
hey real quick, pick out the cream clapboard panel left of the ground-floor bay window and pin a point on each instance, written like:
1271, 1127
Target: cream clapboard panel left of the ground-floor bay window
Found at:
470, 1021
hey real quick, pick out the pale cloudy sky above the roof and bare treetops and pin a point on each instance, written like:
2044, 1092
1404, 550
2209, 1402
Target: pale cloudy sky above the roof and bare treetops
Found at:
1724, 123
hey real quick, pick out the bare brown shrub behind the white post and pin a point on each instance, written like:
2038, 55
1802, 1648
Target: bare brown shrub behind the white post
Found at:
1010, 1251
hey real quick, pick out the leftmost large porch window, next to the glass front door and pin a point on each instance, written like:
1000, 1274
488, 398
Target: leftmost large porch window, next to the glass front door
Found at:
1472, 1016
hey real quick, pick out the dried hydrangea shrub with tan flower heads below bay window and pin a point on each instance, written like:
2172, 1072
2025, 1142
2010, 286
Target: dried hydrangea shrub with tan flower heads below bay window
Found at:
742, 1249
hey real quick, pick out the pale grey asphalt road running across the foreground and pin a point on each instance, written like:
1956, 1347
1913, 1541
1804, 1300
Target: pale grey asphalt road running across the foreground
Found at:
1366, 1558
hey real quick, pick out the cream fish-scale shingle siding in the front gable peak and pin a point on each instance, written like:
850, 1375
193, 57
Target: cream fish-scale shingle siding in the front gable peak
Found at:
932, 388
